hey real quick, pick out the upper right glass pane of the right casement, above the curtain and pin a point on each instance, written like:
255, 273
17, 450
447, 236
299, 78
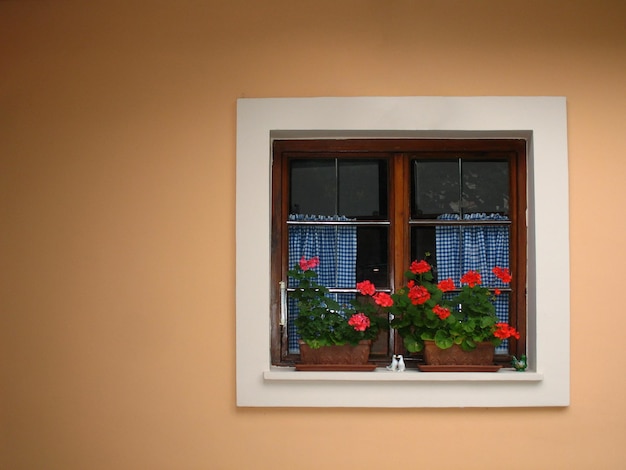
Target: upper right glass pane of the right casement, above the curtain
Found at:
485, 187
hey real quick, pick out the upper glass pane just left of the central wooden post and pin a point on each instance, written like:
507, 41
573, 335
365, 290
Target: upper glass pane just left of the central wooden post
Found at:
363, 188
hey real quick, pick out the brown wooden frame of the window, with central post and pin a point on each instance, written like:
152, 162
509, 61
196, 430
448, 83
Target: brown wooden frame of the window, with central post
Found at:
399, 153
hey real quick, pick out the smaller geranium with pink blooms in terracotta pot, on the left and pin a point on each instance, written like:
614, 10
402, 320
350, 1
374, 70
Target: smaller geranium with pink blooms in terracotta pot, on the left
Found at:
330, 332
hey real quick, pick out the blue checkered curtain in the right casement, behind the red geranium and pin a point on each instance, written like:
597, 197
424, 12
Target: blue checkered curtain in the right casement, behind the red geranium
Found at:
480, 248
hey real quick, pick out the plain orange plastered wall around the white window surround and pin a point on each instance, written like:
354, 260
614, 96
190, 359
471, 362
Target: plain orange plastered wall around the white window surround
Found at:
117, 193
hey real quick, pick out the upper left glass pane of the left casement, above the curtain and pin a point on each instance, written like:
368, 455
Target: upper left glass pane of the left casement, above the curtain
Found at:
313, 187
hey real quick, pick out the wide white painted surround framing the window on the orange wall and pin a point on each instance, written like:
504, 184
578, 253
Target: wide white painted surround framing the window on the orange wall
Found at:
540, 120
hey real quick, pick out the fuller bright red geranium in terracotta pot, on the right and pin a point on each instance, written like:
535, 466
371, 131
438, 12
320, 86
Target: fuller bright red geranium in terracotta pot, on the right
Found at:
453, 324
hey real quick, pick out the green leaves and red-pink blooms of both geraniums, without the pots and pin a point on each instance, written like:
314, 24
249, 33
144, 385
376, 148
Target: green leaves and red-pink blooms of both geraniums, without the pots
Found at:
421, 310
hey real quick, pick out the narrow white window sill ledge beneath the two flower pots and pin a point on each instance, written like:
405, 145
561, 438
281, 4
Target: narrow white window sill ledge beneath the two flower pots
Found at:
383, 375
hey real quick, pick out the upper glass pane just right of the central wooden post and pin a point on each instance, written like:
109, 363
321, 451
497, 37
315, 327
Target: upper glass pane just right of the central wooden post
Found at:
435, 187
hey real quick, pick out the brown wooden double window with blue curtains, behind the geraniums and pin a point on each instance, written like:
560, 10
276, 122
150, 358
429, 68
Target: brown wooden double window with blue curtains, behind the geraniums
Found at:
367, 207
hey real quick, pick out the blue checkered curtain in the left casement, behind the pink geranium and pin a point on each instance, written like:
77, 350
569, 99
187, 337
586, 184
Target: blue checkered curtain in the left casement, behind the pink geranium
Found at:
336, 247
